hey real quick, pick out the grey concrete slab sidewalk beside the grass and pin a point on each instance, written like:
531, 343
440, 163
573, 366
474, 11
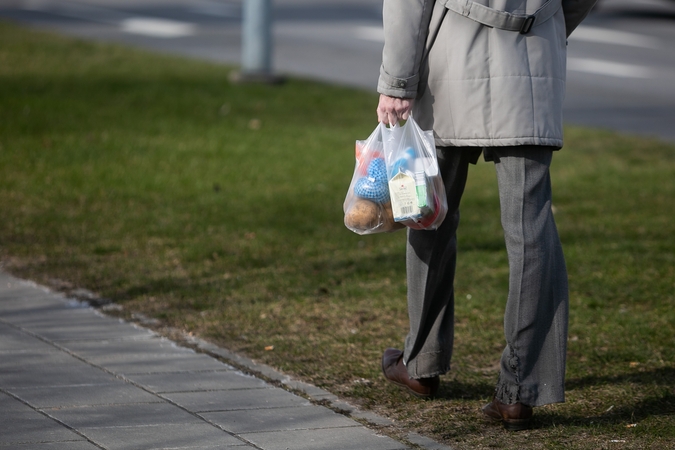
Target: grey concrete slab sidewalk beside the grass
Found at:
74, 379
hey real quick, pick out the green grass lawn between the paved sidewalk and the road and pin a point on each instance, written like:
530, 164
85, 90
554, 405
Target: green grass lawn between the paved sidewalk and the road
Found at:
217, 208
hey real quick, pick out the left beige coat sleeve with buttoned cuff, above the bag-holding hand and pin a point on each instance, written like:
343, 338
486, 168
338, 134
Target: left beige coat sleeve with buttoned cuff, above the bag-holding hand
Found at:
406, 25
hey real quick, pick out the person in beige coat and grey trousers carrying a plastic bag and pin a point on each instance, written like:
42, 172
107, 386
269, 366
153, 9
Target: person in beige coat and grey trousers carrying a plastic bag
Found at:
488, 77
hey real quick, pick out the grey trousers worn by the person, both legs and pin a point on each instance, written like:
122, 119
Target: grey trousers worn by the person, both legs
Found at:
536, 315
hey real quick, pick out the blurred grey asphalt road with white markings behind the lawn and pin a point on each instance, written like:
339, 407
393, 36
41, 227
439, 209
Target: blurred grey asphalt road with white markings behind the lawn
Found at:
621, 61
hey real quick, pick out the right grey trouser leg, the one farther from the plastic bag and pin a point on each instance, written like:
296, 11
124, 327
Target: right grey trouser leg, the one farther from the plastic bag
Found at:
536, 316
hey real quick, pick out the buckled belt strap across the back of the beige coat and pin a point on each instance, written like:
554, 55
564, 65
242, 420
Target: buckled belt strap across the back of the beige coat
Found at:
501, 19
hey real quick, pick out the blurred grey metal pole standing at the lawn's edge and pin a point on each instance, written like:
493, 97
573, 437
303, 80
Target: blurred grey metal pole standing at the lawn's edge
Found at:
257, 39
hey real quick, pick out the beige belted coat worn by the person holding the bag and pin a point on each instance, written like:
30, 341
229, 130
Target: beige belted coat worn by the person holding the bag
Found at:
476, 85
